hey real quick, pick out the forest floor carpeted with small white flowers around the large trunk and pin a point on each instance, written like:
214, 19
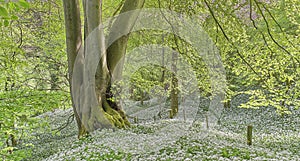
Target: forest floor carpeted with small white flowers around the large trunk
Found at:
275, 137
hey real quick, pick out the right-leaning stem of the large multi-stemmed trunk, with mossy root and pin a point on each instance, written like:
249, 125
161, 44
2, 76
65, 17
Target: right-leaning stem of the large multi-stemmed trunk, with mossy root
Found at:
117, 41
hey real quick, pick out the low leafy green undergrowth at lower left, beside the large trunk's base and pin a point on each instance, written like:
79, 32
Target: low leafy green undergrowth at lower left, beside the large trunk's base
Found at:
18, 111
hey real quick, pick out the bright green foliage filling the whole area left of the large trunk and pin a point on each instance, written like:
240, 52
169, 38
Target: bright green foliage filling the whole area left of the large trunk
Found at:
33, 70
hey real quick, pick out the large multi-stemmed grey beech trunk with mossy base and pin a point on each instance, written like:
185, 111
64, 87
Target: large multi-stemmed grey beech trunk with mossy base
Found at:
110, 58
